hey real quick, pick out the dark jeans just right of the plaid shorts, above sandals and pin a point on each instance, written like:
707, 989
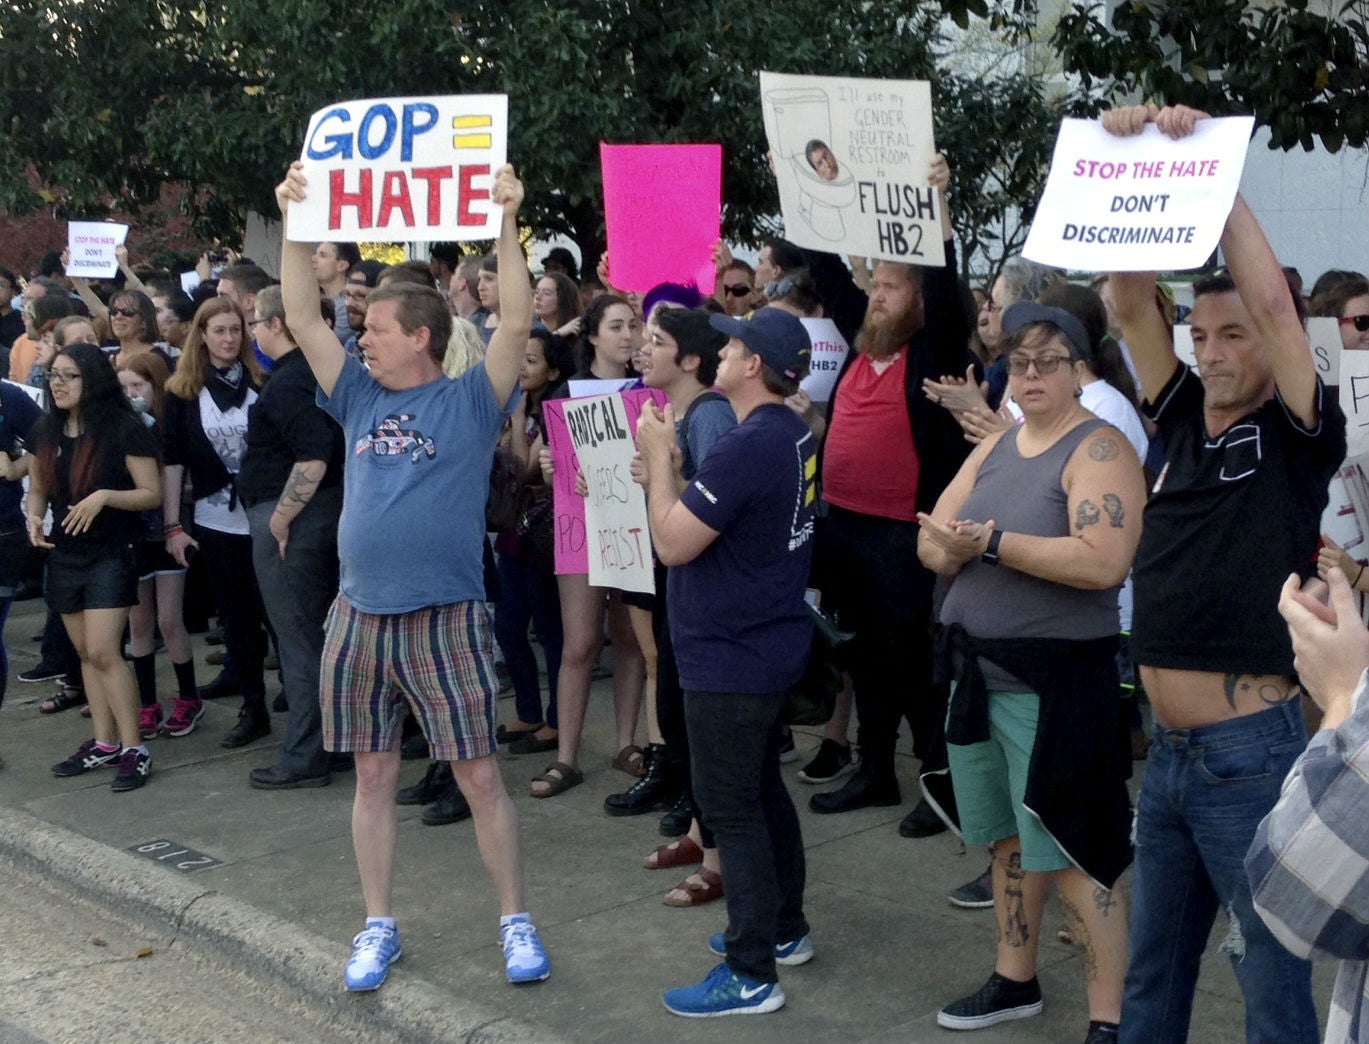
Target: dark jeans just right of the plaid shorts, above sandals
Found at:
528, 593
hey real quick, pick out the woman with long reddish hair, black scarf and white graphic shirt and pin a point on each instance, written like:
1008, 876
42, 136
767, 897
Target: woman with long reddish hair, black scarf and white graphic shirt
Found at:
205, 433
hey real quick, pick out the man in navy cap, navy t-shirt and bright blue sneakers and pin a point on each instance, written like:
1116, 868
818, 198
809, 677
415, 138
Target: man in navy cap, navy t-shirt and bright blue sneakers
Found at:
739, 541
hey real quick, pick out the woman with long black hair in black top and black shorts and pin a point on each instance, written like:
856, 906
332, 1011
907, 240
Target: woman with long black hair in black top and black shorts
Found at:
97, 467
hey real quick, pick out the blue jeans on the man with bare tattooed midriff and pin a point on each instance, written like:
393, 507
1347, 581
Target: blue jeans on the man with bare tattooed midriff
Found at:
1204, 796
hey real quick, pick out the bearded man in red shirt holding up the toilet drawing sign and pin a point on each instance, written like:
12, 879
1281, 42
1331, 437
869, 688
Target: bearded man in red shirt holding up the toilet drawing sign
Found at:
889, 455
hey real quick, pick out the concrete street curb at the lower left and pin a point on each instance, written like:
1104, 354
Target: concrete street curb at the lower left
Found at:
258, 945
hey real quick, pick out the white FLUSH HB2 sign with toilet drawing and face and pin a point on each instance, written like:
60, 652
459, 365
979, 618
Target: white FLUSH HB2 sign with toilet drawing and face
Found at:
852, 158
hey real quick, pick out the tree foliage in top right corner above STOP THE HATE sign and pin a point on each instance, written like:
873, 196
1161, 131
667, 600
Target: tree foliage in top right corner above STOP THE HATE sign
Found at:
1303, 75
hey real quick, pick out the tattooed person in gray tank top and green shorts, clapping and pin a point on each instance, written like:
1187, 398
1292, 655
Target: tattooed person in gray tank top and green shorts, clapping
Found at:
1036, 536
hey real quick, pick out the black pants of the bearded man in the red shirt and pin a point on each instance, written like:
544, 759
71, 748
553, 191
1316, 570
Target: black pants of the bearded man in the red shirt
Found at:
884, 593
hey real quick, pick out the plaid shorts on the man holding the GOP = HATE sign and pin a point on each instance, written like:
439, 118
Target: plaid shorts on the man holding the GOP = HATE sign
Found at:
439, 660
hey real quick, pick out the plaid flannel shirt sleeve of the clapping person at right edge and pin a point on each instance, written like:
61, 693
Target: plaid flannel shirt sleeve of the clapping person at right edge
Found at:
1309, 864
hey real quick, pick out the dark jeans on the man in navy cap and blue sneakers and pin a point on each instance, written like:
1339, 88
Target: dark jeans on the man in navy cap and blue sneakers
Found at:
736, 738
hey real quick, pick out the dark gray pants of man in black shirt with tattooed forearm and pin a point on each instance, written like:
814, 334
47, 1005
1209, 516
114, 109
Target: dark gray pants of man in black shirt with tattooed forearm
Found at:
298, 592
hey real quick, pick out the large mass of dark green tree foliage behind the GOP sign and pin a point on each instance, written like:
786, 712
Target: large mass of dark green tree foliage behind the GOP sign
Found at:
112, 99
